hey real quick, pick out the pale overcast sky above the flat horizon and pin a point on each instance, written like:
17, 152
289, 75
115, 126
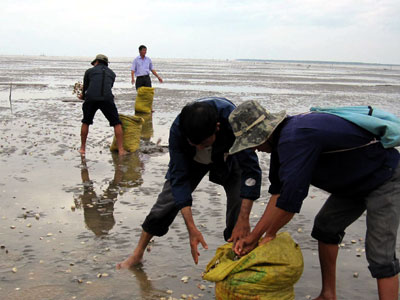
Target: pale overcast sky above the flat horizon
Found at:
341, 30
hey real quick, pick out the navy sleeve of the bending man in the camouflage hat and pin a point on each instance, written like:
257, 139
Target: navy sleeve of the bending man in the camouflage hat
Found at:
296, 164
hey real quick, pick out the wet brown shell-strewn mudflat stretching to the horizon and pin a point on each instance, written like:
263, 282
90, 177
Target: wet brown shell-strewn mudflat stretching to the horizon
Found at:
66, 221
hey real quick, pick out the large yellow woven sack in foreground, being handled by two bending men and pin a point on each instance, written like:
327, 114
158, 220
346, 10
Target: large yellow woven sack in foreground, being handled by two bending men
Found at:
269, 272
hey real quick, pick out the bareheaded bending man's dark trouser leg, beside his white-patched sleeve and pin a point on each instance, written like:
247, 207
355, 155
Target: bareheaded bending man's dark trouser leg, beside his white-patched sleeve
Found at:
234, 201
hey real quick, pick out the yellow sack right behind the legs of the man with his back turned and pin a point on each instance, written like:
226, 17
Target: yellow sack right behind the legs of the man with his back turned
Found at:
132, 127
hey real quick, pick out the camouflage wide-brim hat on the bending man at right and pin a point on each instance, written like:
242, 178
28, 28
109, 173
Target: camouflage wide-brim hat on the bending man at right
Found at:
252, 125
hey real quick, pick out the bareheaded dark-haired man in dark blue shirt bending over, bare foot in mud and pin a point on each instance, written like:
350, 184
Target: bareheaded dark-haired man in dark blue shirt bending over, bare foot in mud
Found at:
199, 141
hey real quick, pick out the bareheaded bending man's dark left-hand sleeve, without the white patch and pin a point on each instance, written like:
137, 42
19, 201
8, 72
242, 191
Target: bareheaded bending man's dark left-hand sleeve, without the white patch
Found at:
179, 169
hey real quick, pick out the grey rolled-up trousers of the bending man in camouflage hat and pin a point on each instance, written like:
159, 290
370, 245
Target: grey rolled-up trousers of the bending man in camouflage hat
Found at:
383, 215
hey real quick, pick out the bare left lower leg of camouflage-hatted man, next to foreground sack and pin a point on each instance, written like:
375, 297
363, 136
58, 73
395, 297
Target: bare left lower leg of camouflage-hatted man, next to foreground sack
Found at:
327, 258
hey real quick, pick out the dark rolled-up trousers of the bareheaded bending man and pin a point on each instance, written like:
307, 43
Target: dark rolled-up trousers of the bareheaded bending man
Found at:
164, 210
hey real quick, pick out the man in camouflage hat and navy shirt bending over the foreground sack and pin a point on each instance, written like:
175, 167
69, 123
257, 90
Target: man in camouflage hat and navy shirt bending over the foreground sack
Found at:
339, 157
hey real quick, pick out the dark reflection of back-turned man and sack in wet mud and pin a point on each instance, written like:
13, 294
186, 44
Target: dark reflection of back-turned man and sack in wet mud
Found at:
98, 209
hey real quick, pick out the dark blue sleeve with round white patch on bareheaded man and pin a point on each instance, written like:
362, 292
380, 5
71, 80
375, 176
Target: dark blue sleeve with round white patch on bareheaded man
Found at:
250, 175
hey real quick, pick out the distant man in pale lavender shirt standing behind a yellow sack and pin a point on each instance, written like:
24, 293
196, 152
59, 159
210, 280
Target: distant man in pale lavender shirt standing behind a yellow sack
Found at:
141, 68
